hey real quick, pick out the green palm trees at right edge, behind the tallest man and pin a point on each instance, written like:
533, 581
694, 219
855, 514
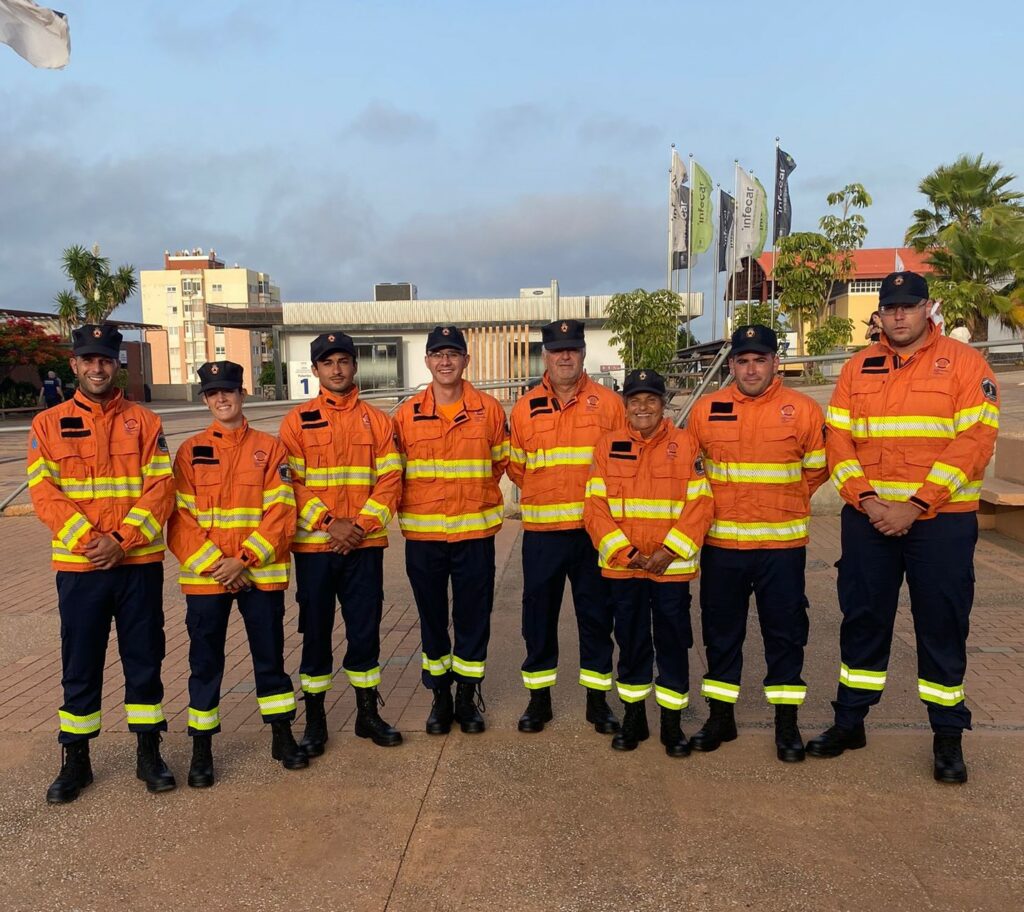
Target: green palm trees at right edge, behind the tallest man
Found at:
974, 233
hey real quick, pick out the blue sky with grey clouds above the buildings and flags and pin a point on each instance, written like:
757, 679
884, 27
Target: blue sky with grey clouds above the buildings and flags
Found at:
475, 148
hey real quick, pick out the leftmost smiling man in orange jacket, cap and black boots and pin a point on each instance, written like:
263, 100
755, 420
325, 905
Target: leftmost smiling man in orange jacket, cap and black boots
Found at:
100, 475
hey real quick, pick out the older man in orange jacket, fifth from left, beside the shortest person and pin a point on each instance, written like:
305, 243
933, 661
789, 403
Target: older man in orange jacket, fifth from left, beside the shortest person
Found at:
554, 429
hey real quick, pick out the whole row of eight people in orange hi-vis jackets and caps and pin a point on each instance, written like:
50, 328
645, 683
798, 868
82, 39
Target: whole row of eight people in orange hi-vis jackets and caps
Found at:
615, 498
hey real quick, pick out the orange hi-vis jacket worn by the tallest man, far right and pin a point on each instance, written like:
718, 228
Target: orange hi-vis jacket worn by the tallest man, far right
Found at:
921, 429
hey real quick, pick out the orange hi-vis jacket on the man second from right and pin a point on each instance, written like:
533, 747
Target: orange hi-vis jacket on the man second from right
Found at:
764, 458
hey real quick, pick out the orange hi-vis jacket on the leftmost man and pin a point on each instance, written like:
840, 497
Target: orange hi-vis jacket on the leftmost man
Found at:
101, 470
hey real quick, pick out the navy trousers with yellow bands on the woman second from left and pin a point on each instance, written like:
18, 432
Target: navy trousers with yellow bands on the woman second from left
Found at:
206, 620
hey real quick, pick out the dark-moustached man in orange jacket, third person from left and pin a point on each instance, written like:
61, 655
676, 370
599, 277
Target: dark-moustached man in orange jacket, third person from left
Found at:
348, 481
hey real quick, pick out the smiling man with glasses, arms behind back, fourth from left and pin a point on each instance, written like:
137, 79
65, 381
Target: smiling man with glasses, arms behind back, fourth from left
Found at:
454, 442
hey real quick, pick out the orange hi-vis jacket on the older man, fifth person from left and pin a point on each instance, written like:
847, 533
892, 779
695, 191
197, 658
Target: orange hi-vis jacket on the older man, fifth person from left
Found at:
552, 449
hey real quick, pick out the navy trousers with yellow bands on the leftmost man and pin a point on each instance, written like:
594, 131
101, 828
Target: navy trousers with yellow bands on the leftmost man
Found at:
133, 597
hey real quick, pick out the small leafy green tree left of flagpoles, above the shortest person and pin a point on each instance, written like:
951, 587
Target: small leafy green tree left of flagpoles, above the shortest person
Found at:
645, 327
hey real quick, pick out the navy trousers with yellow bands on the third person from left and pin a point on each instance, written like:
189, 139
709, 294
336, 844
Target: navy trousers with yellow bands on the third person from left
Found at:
357, 582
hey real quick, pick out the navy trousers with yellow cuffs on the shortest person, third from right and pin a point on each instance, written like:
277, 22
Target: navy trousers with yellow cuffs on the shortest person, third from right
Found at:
653, 621
